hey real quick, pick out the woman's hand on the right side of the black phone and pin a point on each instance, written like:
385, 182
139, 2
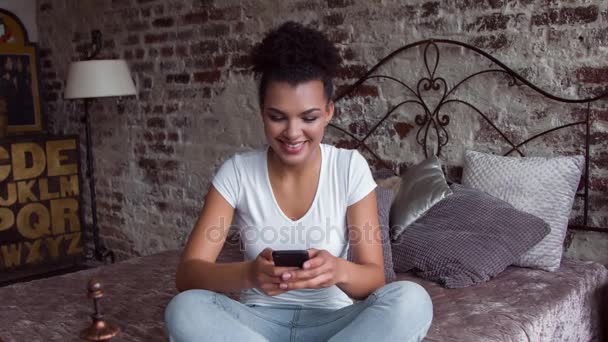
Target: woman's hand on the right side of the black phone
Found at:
321, 270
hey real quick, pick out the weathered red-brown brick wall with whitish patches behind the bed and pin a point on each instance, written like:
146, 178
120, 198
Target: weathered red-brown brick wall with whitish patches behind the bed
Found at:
155, 155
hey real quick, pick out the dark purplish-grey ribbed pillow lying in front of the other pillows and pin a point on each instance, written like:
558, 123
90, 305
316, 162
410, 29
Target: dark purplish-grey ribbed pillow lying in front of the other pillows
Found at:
466, 239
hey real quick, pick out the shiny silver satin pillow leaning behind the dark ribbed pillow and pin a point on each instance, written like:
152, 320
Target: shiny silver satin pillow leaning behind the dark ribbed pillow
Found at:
422, 186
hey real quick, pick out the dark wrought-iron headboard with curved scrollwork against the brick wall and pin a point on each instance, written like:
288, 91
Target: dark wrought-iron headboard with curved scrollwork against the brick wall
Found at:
437, 123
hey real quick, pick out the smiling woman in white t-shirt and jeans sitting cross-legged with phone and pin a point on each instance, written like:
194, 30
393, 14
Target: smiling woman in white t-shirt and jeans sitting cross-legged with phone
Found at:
322, 193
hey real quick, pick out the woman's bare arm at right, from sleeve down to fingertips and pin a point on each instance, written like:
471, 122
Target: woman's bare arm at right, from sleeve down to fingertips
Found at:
358, 278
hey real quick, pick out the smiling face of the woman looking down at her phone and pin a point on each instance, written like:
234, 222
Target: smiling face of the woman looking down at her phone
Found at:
295, 117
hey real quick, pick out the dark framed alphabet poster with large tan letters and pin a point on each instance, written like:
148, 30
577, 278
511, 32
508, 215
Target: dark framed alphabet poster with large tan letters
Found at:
40, 213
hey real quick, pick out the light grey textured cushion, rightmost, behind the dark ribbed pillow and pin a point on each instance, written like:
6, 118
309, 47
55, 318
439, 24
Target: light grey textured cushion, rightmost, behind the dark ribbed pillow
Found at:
544, 187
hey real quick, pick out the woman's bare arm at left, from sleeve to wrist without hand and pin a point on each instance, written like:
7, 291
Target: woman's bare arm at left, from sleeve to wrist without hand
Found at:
197, 268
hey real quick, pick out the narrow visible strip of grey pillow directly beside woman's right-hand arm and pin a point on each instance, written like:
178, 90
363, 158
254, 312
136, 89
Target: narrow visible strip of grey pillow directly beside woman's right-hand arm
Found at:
383, 201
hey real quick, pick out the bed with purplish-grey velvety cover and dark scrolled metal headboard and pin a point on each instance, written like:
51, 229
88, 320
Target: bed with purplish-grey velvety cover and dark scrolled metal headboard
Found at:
520, 304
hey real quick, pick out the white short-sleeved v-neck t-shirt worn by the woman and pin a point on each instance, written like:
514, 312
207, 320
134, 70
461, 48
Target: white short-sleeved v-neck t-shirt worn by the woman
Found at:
345, 178
